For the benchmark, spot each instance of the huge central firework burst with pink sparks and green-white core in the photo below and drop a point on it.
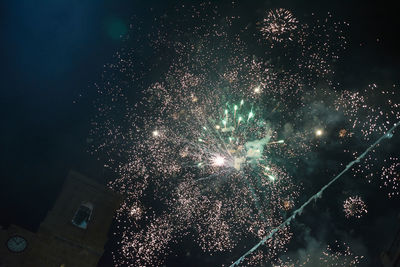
(206, 152)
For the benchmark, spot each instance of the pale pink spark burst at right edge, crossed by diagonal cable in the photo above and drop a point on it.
(377, 116)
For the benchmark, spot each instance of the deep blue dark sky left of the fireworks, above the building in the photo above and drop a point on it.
(51, 53)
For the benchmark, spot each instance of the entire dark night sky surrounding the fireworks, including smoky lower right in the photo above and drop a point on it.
(52, 54)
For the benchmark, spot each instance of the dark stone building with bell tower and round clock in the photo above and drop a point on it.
(73, 234)
